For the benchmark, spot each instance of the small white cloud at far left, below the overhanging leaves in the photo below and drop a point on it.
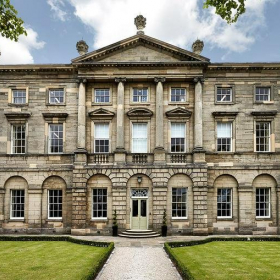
(19, 52)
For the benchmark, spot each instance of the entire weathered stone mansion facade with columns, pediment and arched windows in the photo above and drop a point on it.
(140, 126)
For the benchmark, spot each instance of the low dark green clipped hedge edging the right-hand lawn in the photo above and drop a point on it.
(184, 271)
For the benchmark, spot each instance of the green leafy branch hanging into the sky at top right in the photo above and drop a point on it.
(229, 10)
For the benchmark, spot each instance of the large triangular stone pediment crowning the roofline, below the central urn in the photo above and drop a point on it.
(140, 48)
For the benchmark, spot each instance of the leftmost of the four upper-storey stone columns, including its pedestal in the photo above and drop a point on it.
(81, 152)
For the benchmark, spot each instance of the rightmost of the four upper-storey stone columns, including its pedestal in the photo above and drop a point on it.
(198, 152)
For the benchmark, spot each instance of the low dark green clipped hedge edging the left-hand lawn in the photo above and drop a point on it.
(95, 270)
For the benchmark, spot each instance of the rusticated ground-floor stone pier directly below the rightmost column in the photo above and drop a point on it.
(200, 218)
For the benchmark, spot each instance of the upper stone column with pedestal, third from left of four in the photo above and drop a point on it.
(159, 152)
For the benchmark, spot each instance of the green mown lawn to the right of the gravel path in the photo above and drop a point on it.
(232, 260)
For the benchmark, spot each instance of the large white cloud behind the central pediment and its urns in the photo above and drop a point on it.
(178, 22)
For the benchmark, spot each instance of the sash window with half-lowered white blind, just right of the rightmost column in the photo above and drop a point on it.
(224, 136)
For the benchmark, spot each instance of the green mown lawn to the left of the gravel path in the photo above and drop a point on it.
(47, 260)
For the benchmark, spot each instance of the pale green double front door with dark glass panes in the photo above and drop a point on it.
(139, 213)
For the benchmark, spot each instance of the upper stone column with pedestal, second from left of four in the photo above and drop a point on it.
(120, 152)
